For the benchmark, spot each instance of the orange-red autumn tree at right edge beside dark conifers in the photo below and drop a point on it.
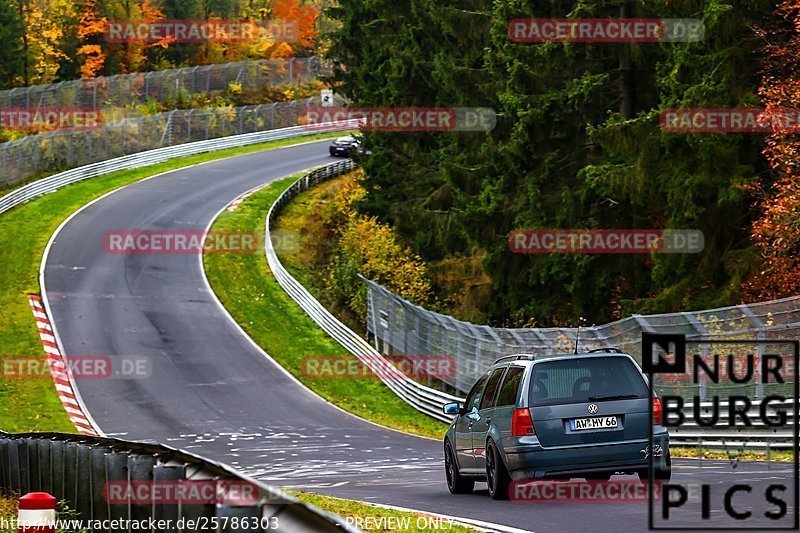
(776, 231)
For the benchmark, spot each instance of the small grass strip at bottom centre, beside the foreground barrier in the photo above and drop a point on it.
(380, 518)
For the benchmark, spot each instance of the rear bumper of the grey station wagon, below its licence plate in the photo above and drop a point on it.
(532, 461)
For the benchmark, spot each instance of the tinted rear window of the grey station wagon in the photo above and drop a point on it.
(584, 380)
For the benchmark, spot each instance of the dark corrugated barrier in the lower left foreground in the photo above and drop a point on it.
(76, 468)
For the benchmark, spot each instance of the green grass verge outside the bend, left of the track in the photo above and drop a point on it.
(32, 404)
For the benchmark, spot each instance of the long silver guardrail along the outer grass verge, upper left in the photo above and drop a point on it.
(56, 181)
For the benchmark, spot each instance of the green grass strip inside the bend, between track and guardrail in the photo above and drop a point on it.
(249, 291)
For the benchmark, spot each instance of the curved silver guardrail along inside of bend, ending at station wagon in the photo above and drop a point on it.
(422, 398)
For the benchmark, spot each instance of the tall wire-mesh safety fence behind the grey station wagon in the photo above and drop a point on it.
(407, 329)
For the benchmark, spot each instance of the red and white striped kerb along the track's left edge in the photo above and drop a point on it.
(59, 369)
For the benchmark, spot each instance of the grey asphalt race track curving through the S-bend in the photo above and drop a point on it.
(213, 393)
